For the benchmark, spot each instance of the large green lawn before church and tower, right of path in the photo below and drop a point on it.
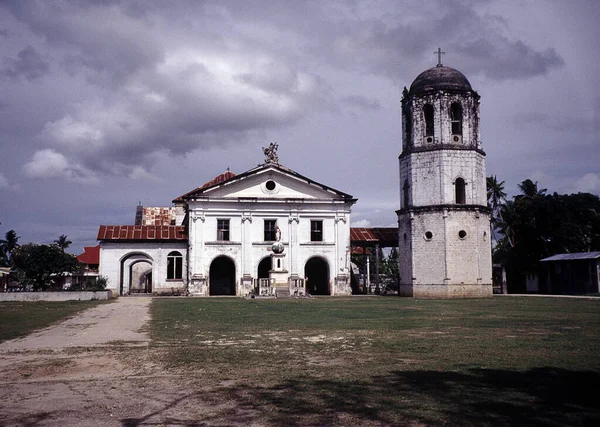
(389, 360)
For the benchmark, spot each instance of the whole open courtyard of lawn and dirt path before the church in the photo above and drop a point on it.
(316, 361)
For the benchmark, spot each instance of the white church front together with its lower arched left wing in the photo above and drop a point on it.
(230, 230)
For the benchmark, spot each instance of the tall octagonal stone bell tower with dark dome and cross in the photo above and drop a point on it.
(443, 221)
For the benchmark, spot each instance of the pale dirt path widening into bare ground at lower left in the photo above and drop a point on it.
(94, 369)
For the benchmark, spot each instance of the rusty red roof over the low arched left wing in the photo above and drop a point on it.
(142, 232)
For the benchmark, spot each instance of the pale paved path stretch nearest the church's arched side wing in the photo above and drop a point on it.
(118, 321)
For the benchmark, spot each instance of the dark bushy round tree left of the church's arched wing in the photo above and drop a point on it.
(39, 266)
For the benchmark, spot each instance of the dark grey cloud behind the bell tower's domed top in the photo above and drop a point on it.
(383, 45)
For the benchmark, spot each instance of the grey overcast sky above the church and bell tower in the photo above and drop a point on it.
(110, 103)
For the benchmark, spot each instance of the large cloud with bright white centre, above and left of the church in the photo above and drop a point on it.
(162, 88)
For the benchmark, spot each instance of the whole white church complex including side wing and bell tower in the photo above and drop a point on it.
(271, 231)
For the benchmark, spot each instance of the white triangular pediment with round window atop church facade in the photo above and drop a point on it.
(269, 181)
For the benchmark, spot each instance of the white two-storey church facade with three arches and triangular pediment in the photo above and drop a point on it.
(292, 203)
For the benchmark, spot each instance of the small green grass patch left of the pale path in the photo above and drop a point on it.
(18, 319)
